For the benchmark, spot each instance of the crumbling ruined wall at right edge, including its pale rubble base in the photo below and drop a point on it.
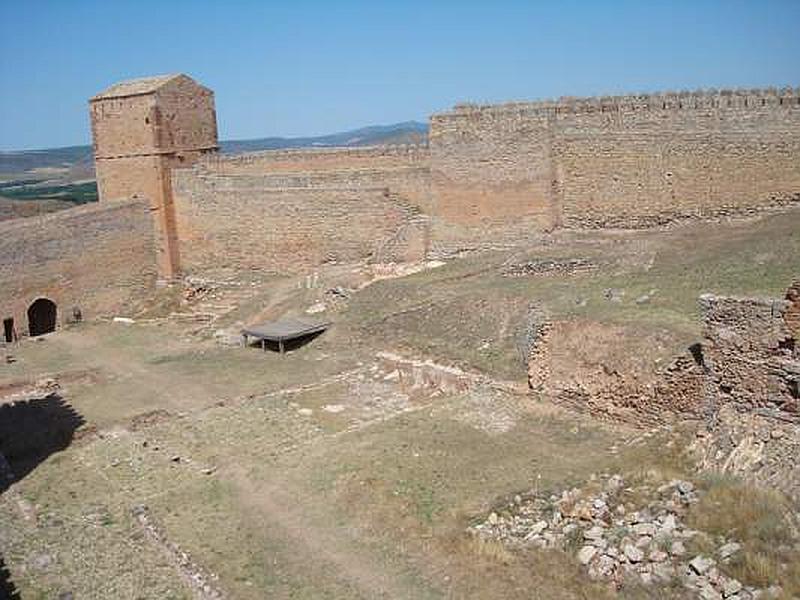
(752, 398)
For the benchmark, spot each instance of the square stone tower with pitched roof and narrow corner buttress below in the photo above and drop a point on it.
(141, 130)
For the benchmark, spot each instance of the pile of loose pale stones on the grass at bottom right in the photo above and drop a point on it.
(615, 542)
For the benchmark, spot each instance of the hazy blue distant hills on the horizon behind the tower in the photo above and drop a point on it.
(78, 159)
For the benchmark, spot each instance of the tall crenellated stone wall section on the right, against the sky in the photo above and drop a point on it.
(626, 161)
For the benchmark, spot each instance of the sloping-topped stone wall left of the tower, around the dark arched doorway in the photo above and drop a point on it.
(96, 257)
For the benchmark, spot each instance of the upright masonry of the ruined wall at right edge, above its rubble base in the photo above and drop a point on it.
(752, 357)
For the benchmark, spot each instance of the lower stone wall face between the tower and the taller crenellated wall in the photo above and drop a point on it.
(282, 229)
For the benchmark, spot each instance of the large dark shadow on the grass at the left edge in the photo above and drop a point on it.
(32, 430)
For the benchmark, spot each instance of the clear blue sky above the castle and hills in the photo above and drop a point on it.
(313, 67)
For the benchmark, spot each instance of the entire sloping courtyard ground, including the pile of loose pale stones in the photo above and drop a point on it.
(367, 462)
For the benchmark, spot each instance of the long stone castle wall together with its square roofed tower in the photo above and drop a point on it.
(490, 175)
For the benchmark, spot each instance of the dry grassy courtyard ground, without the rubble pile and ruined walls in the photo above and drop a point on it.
(317, 475)
